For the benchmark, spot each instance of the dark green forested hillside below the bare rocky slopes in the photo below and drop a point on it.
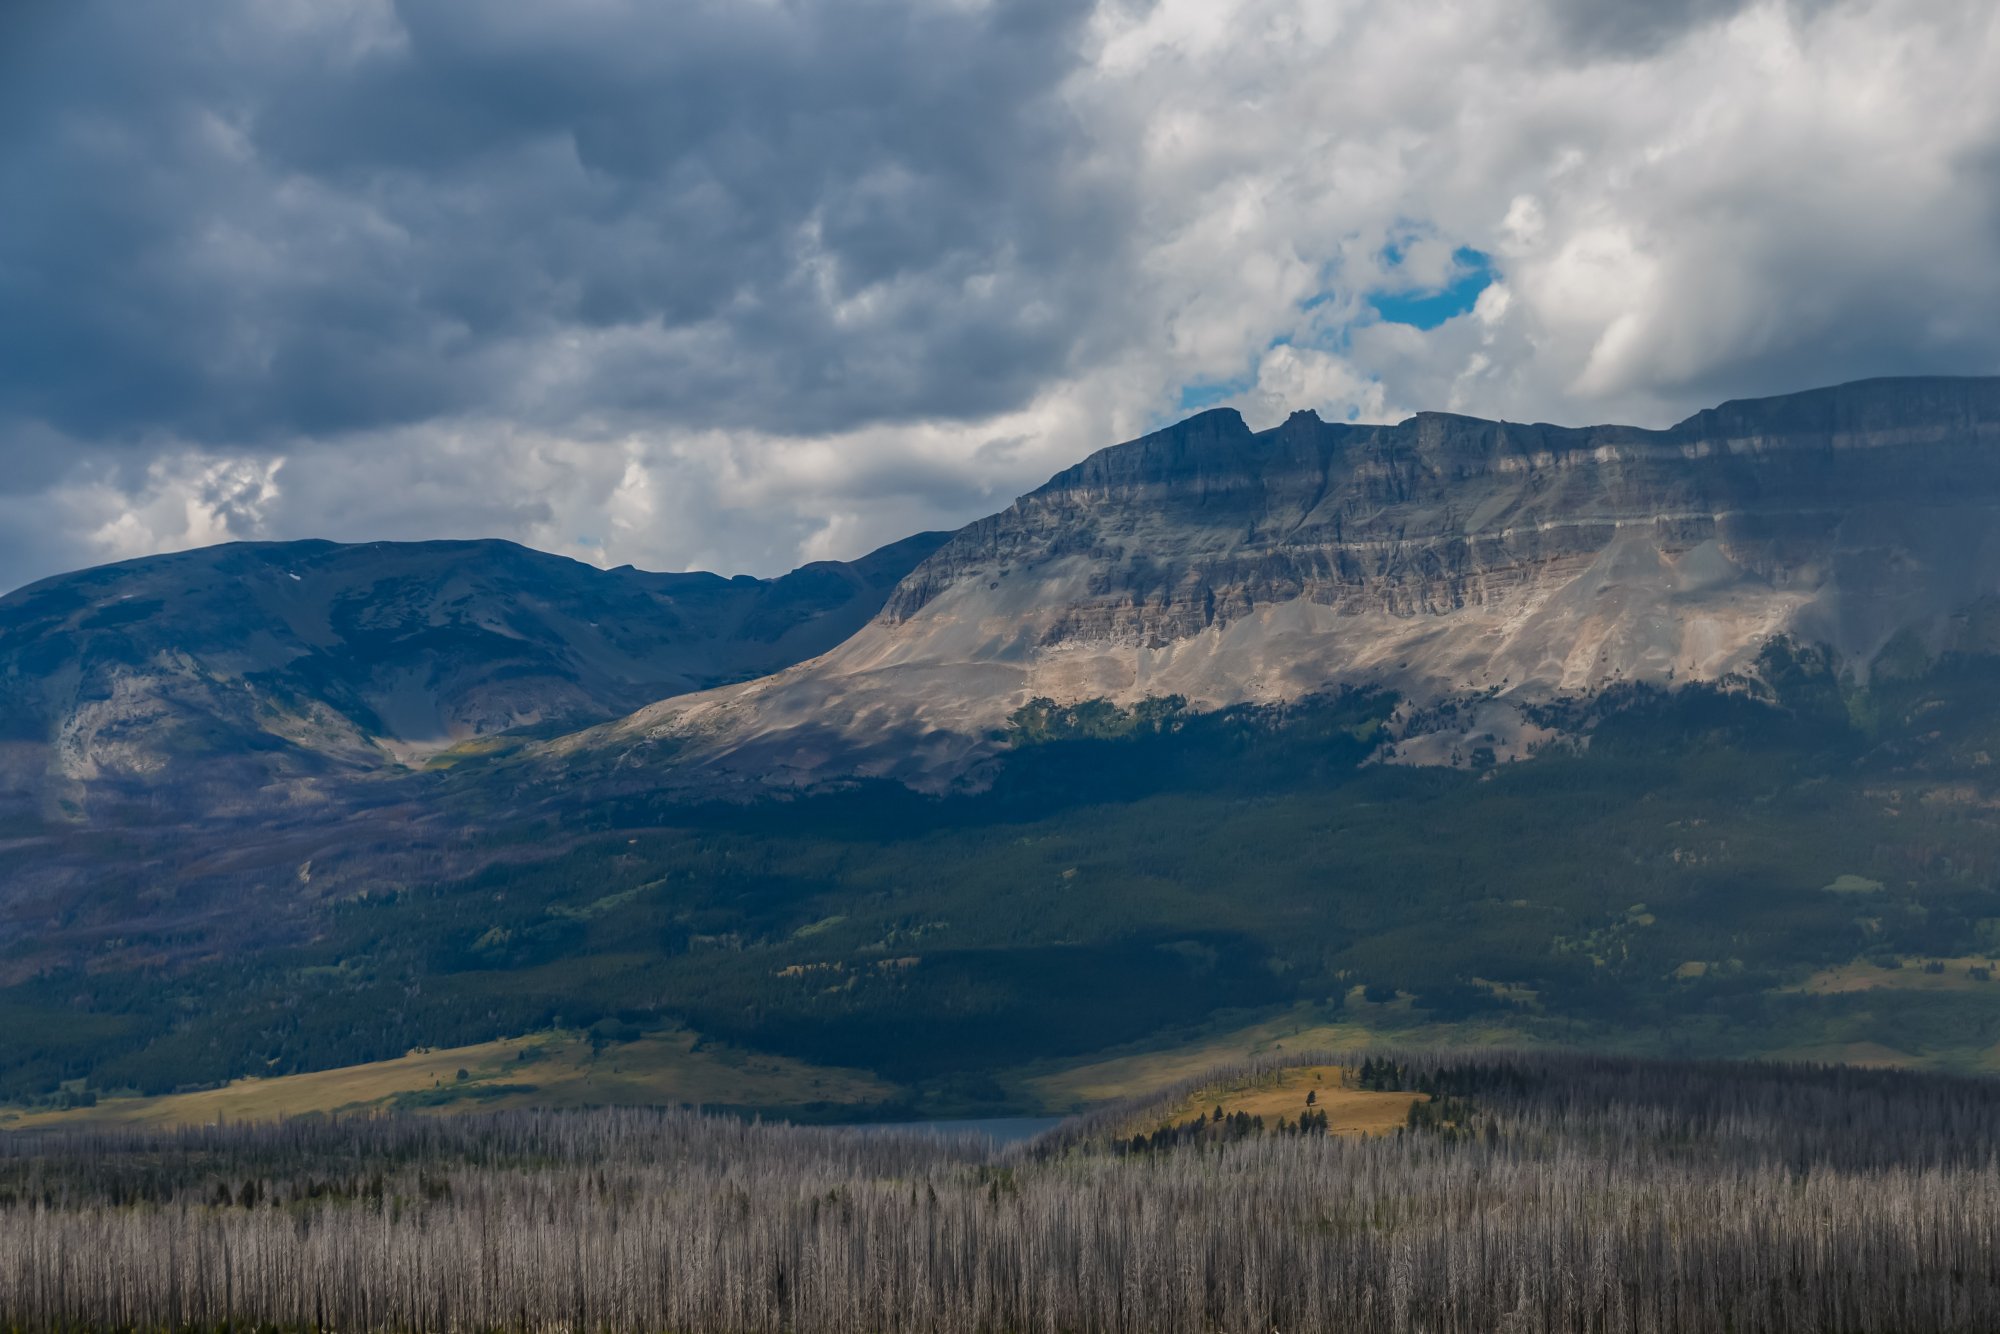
(1791, 863)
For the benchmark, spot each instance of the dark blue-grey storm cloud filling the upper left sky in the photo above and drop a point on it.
(307, 221)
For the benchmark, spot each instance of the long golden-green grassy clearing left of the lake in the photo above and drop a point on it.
(545, 1071)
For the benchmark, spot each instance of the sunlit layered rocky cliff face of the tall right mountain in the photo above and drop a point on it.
(1441, 555)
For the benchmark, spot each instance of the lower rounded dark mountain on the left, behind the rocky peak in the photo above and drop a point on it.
(243, 671)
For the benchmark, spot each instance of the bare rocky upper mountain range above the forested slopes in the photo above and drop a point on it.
(1443, 557)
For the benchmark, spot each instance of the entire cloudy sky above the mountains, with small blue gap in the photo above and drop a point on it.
(749, 283)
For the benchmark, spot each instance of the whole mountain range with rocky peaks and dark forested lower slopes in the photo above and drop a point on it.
(1095, 775)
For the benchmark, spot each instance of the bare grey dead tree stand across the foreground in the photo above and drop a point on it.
(1599, 1195)
